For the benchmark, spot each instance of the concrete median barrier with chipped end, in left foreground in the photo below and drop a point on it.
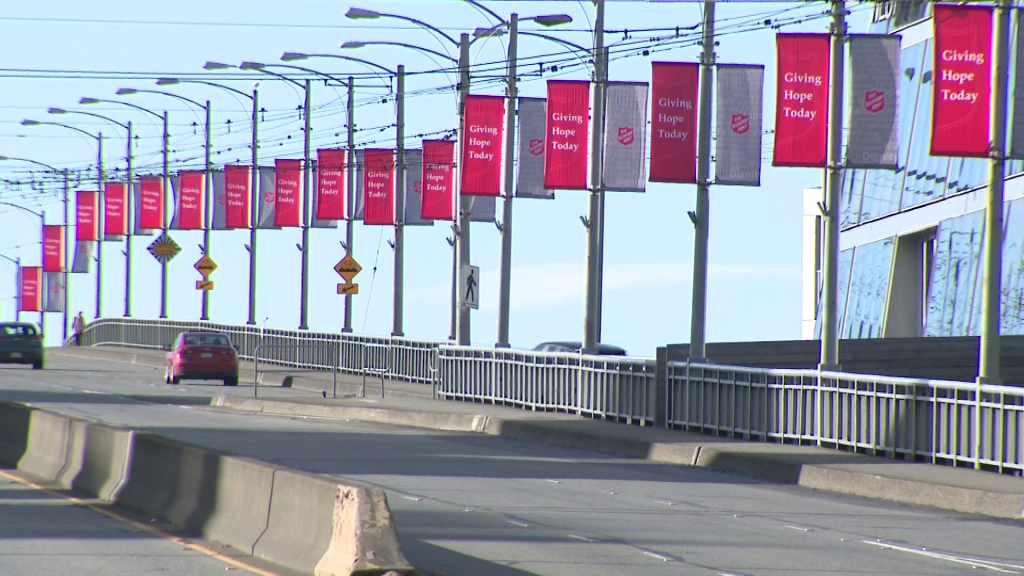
(301, 521)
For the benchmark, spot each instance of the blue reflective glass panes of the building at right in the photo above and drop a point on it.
(953, 302)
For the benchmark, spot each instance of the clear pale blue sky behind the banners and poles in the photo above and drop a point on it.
(755, 252)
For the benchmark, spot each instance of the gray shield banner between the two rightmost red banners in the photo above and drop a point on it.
(874, 137)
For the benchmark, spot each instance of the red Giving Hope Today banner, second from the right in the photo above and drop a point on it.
(802, 100)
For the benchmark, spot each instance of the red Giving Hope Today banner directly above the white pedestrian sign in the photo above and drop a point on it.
(481, 171)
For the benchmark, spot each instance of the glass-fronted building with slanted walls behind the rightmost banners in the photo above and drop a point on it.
(911, 240)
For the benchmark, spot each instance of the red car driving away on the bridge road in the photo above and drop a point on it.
(203, 356)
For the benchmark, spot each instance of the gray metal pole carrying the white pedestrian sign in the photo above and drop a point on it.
(463, 203)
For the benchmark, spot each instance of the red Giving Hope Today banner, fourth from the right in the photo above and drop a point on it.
(566, 155)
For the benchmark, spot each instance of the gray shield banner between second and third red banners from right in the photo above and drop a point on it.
(738, 128)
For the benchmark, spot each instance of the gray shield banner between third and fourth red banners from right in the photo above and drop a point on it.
(626, 137)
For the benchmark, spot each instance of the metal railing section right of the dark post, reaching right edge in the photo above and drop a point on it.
(940, 422)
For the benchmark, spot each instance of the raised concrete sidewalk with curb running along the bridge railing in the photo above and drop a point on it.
(957, 489)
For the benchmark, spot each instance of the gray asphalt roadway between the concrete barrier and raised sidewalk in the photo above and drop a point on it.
(475, 505)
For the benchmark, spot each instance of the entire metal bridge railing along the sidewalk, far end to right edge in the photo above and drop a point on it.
(958, 424)
